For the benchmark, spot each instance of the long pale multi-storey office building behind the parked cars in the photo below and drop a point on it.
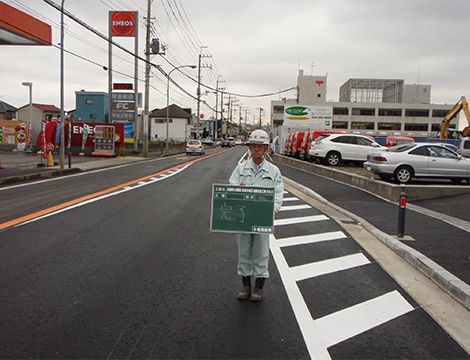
(377, 107)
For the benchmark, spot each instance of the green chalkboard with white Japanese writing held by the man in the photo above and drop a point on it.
(244, 209)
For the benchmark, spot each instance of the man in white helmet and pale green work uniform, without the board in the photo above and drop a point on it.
(253, 249)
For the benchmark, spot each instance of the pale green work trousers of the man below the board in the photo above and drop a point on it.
(253, 254)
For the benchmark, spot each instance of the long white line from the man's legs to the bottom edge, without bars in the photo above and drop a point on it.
(310, 331)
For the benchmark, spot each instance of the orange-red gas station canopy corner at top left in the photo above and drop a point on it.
(18, 28)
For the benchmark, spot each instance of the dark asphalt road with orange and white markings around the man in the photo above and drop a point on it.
(120, 263)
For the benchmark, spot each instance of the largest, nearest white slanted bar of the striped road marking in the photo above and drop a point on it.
(344, 324)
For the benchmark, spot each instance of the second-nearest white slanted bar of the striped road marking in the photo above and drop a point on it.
(329, 266)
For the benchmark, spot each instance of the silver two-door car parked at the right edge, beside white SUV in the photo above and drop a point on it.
(418, 160)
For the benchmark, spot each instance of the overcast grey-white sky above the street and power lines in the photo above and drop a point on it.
(255, 46)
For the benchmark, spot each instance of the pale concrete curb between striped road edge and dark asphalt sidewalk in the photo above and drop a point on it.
(448, 282)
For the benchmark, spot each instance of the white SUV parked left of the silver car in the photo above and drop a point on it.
(332, 149)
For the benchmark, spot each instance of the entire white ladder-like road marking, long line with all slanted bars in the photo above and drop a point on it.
(320, 334)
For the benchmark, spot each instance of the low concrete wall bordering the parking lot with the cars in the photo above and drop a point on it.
(384, 189)
